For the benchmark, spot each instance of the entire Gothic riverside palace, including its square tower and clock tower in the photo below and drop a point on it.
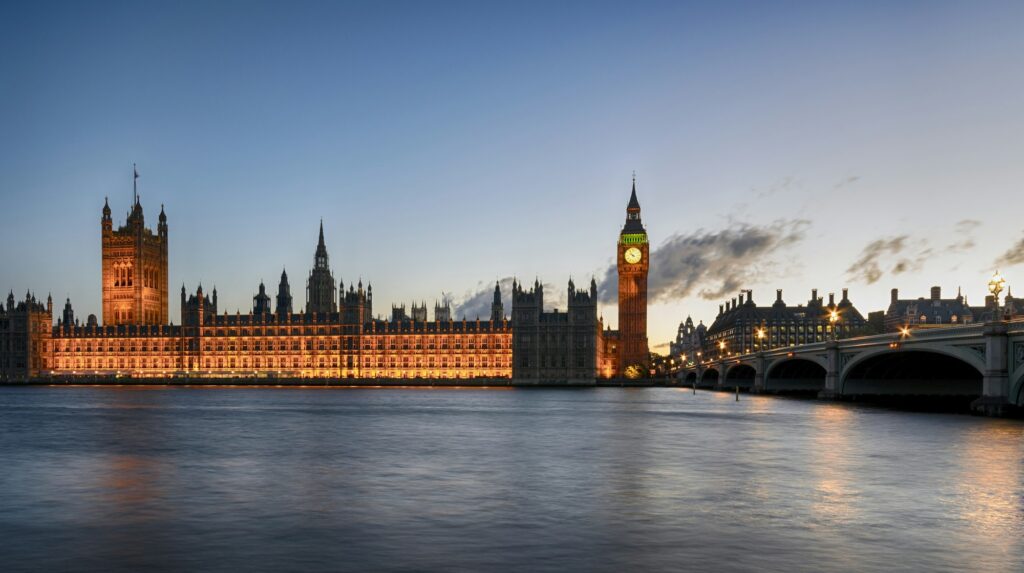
(335, 336)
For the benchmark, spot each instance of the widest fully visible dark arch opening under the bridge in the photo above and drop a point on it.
(913, 373)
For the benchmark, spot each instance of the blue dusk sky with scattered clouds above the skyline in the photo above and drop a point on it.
(447, 146)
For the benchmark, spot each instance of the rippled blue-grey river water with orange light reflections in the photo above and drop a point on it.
(244, 479)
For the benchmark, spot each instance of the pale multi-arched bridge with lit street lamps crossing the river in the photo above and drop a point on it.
(984, 363)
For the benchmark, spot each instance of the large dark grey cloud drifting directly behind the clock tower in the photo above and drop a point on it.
(712, 265)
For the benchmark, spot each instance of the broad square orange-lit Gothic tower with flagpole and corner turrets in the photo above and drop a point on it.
(135, 269)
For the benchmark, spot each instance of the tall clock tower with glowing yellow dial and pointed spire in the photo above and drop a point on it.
(633, 265)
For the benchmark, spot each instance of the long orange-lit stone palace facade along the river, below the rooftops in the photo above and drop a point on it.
(211, 345)
